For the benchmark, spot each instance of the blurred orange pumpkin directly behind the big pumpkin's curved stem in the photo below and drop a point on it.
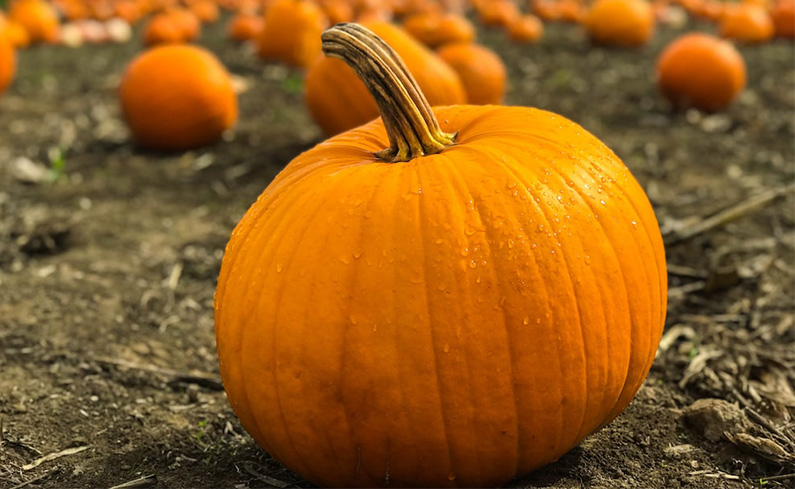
(338, 100)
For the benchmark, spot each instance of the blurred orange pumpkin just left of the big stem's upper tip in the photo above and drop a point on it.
(291, 32)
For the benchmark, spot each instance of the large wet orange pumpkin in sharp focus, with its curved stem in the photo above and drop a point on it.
(444, 297)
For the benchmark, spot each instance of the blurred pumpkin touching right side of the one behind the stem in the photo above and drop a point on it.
(480, 69)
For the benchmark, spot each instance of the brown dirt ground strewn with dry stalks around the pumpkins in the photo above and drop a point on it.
(109, 256)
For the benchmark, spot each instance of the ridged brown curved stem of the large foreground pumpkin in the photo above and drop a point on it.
(410, 123)
